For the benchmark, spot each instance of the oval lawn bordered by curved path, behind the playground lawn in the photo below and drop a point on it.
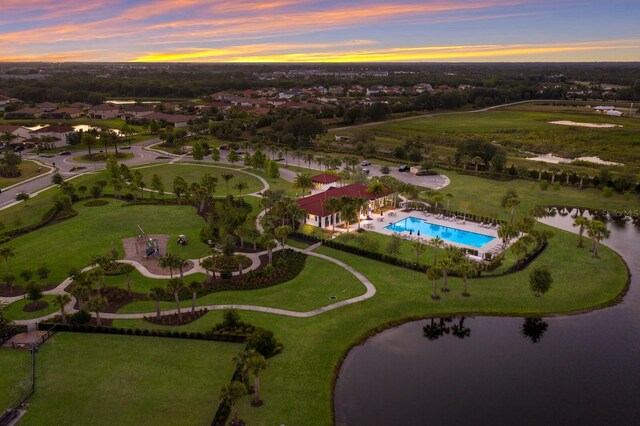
(193, 173)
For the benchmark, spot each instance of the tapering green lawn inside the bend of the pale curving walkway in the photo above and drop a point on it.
(307, 291)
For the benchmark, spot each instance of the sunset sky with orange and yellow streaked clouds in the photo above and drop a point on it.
(319, 30)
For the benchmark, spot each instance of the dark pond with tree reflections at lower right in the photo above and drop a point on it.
(579, 369)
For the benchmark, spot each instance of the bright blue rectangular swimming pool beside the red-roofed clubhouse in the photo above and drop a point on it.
(448, 234)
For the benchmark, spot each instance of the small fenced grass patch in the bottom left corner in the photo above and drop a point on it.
(15, 374)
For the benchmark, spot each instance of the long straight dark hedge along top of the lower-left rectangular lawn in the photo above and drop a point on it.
(222, 337)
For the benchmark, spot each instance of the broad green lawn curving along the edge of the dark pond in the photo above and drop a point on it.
(297, 386)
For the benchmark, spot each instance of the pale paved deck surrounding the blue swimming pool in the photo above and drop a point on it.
(379, 224)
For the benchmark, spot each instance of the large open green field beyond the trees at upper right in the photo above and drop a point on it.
(522, 128)
